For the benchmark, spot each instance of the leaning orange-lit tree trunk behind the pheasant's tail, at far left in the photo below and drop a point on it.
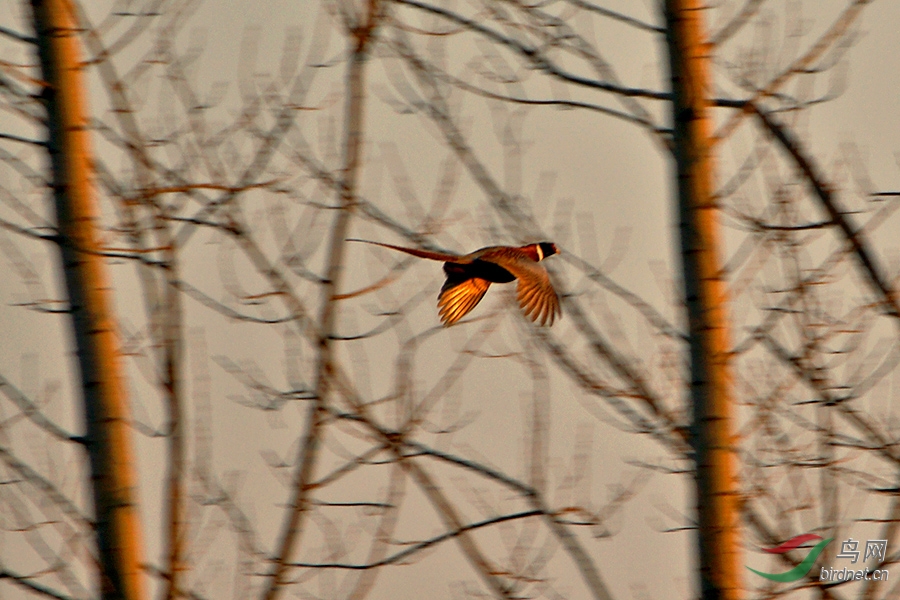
(107, 437)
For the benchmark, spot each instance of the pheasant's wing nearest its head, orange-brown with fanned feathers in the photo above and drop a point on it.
(535, 292)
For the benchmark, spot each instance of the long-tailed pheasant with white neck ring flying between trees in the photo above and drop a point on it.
(469, 276)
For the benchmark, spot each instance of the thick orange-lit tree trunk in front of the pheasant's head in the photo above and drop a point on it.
(706, 301)
